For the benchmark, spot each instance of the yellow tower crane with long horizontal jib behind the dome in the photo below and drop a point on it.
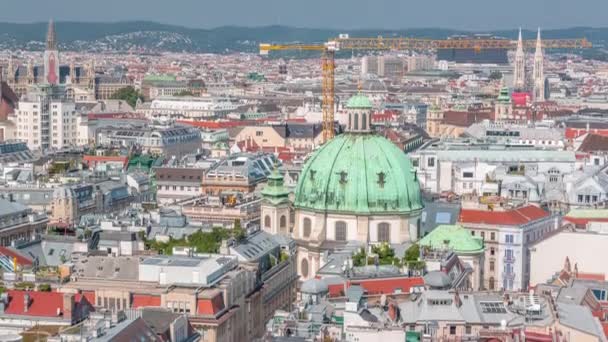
(344, 42)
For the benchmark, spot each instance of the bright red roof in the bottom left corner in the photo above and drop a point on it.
(42, 304)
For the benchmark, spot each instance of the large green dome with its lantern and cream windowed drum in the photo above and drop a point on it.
(358, 186)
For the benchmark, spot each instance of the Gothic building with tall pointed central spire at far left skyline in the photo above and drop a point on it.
(78, 80)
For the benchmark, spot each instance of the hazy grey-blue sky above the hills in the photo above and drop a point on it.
(389, 14)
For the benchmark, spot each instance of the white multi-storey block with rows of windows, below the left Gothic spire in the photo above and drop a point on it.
(46, 119)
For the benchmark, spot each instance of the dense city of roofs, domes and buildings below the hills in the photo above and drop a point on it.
(354, 189)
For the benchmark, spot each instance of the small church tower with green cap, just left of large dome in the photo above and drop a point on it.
(276, 207)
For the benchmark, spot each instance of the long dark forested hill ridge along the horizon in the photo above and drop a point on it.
(155, 37)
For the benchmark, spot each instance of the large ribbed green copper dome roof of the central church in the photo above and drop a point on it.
(359, 174)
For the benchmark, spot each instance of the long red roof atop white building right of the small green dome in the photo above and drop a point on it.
(514, 217)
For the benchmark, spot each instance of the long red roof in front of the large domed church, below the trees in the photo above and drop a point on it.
(378, 286)
